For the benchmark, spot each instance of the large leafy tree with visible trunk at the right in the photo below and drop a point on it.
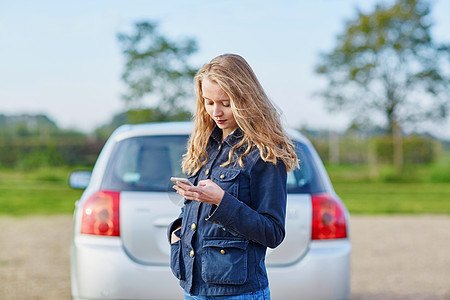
(387, 66)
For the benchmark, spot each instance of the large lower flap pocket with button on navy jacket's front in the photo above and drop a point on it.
(224, 261)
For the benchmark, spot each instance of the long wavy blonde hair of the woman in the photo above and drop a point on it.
(254, 113)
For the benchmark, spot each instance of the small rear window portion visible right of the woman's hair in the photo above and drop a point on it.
(306, 179)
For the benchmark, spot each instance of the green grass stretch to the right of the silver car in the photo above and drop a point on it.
(421, 189)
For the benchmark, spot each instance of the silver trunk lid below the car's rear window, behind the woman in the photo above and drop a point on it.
(145, 216)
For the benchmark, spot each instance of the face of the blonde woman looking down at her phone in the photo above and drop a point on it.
(217, 104)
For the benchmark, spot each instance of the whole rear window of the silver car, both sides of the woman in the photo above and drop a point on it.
(146, 163)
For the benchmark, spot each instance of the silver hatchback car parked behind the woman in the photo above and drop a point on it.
(120, 250)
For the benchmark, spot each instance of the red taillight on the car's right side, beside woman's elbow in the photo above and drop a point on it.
(328, 220)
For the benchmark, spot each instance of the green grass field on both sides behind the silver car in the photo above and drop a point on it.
(46, 191)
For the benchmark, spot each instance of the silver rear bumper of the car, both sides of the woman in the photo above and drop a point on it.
(101, 269)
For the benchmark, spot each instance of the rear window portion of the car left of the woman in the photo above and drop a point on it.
(145, 163)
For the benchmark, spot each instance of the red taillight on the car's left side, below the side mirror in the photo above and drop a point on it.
(101, 214)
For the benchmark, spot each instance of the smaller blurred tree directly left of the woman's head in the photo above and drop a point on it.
(157, 67)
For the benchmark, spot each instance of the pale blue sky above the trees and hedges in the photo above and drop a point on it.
(62, 58)
